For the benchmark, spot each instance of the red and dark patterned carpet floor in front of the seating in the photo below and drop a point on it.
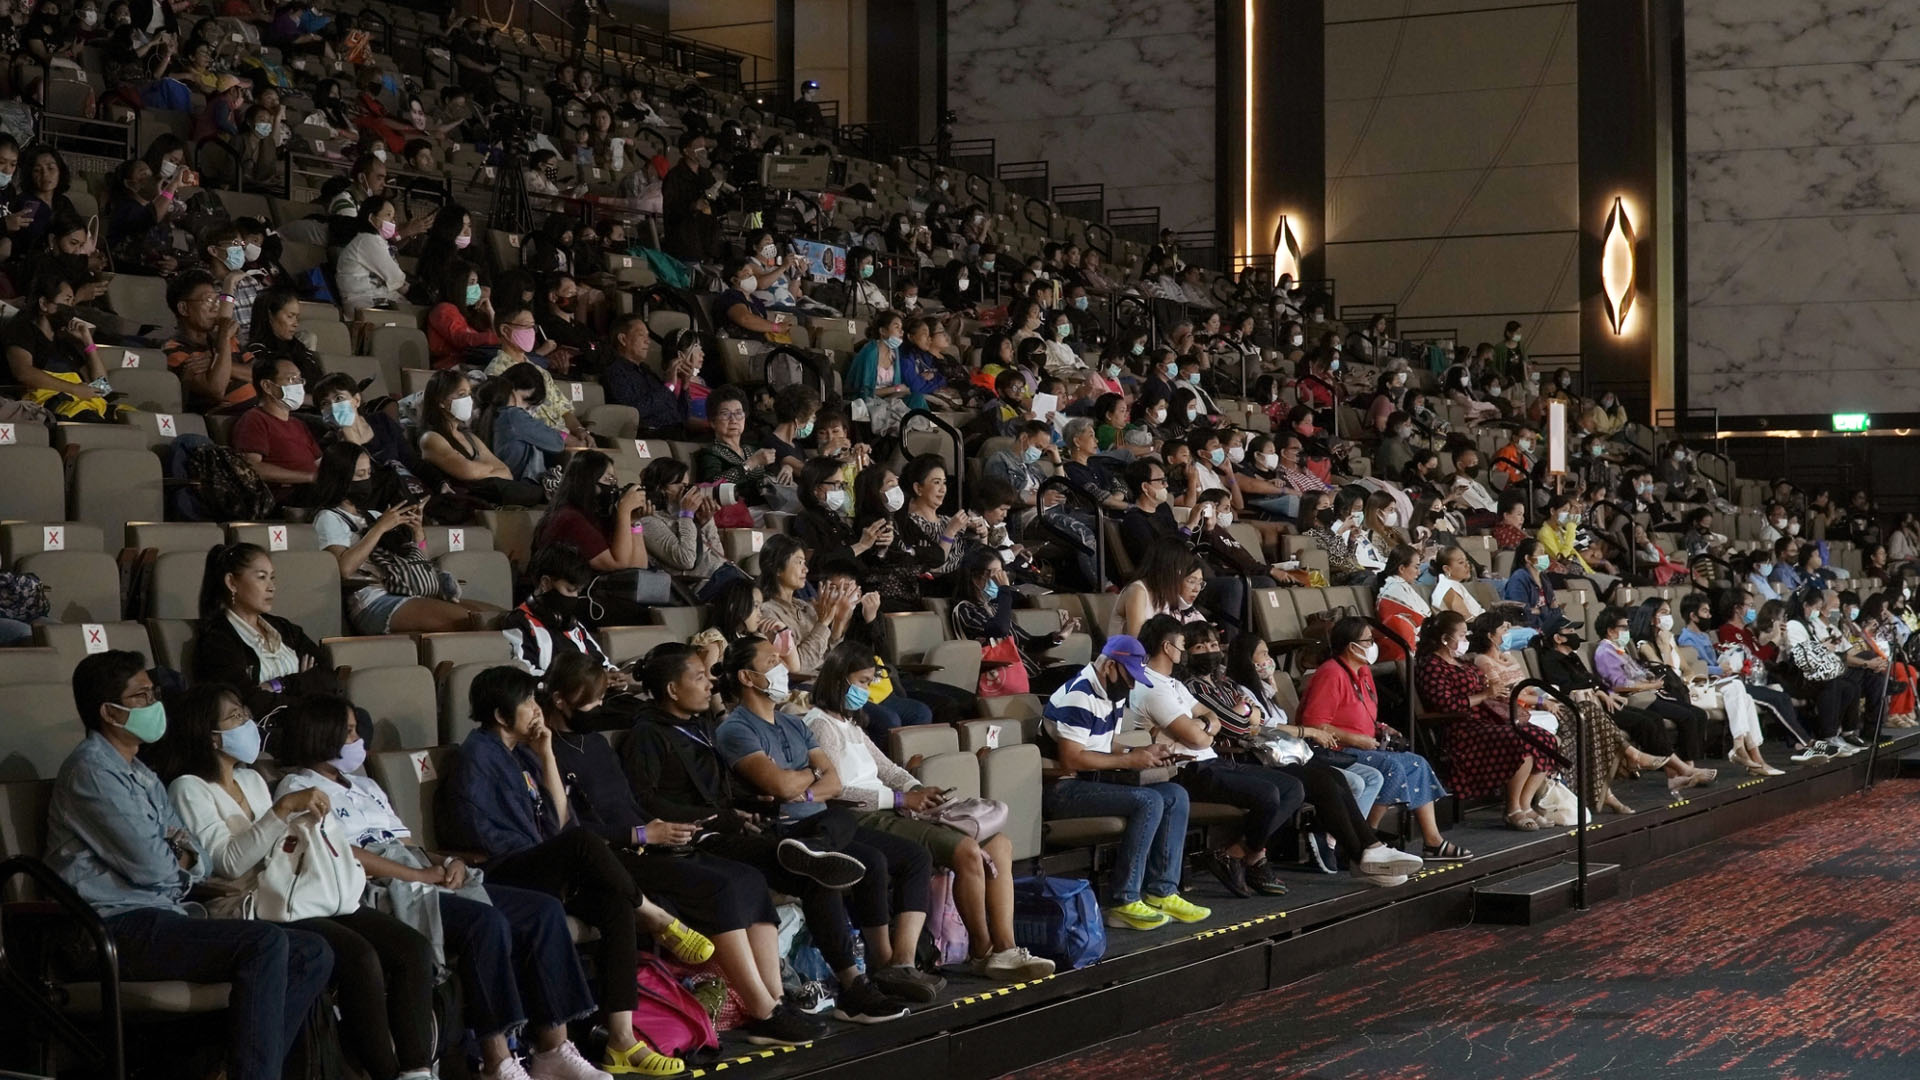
(1794, 954)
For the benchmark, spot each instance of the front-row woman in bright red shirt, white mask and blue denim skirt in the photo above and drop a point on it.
(1343, 699)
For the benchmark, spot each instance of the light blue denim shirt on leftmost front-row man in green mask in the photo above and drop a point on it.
(112, 833)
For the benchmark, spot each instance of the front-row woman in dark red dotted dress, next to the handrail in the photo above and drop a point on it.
(1491, 754)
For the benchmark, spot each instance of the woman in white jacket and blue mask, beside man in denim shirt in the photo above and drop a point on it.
(383, 970)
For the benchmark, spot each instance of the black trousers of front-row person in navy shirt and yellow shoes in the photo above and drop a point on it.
(585, 875)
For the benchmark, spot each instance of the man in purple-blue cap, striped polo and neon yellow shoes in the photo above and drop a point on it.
(1078, 731)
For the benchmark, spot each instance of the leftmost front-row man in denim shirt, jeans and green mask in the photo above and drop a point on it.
(114, 837)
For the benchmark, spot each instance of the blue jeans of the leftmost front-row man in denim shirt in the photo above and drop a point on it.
(276, 973)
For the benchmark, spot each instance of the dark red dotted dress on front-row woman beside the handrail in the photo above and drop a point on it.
(1485, 747)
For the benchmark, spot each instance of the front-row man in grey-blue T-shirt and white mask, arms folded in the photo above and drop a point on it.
(779, 756)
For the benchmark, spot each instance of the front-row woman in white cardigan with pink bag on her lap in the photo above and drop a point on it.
(888, 797)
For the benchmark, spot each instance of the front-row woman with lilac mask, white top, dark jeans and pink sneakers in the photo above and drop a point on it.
(512, 950)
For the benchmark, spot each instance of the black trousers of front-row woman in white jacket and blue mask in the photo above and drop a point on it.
(383, 987)
